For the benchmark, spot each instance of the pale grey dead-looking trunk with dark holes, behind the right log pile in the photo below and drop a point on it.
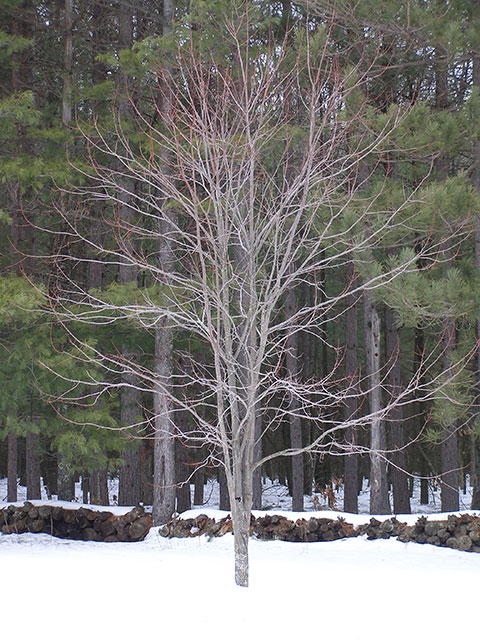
(379, 502)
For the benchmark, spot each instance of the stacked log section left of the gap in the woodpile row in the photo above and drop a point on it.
(76, 524)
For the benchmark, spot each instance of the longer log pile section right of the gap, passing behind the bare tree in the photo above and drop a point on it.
(458, 532)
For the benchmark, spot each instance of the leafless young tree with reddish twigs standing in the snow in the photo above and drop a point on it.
(246, 180)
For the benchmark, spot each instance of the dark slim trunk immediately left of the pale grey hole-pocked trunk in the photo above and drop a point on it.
(350, 501)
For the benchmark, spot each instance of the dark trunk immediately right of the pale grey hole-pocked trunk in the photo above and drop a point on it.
(401, 500)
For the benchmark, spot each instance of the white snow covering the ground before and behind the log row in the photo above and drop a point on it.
(350, 589)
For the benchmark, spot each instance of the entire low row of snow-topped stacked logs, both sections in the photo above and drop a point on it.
(457, 532)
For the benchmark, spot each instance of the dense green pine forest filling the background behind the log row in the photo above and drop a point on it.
(376, 363)
